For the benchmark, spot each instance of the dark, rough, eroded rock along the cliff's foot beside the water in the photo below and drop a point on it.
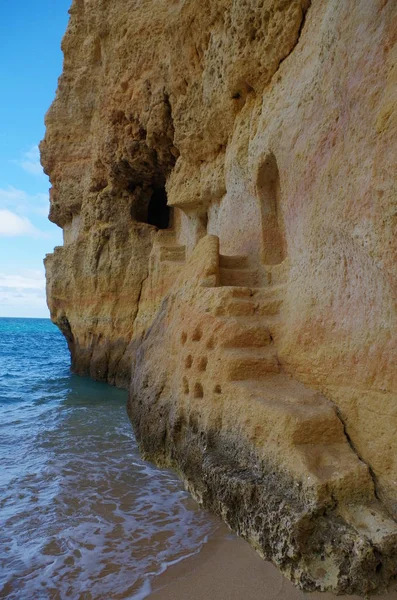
(317, 544)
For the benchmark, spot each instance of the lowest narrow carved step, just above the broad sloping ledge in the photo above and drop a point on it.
(248, 363)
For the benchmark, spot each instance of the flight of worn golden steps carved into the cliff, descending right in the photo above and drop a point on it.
(250, 316)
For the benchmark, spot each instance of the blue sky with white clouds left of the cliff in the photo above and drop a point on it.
(30, 64)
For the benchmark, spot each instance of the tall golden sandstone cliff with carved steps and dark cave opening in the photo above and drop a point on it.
(224, 174)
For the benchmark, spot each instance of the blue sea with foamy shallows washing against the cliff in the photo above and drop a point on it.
(82, 516)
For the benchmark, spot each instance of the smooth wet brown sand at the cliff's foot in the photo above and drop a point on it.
(229, 569)
